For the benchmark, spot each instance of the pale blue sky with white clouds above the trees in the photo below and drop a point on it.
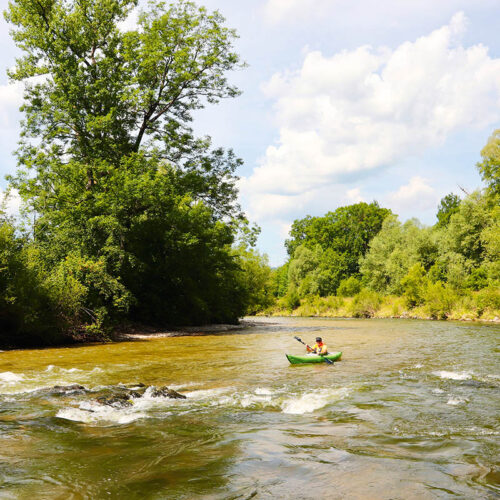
(343, 101)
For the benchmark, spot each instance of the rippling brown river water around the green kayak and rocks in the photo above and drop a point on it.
(411, 411)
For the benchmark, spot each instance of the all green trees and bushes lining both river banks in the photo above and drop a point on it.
(127, 216)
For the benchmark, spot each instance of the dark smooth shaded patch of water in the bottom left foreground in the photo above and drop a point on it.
(174, 458)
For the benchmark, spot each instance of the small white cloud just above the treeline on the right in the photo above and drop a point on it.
(417, 194)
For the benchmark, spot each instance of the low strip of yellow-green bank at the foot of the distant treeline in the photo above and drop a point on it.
(372, 305)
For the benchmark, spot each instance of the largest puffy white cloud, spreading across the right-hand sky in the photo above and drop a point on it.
(344, 116)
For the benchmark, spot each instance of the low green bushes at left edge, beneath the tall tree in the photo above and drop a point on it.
(47, 304)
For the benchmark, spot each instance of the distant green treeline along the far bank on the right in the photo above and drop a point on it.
(366, 252)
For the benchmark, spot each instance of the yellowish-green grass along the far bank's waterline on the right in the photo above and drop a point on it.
(439, 302)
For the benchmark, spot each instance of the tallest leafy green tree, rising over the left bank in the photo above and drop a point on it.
(108, 163)
